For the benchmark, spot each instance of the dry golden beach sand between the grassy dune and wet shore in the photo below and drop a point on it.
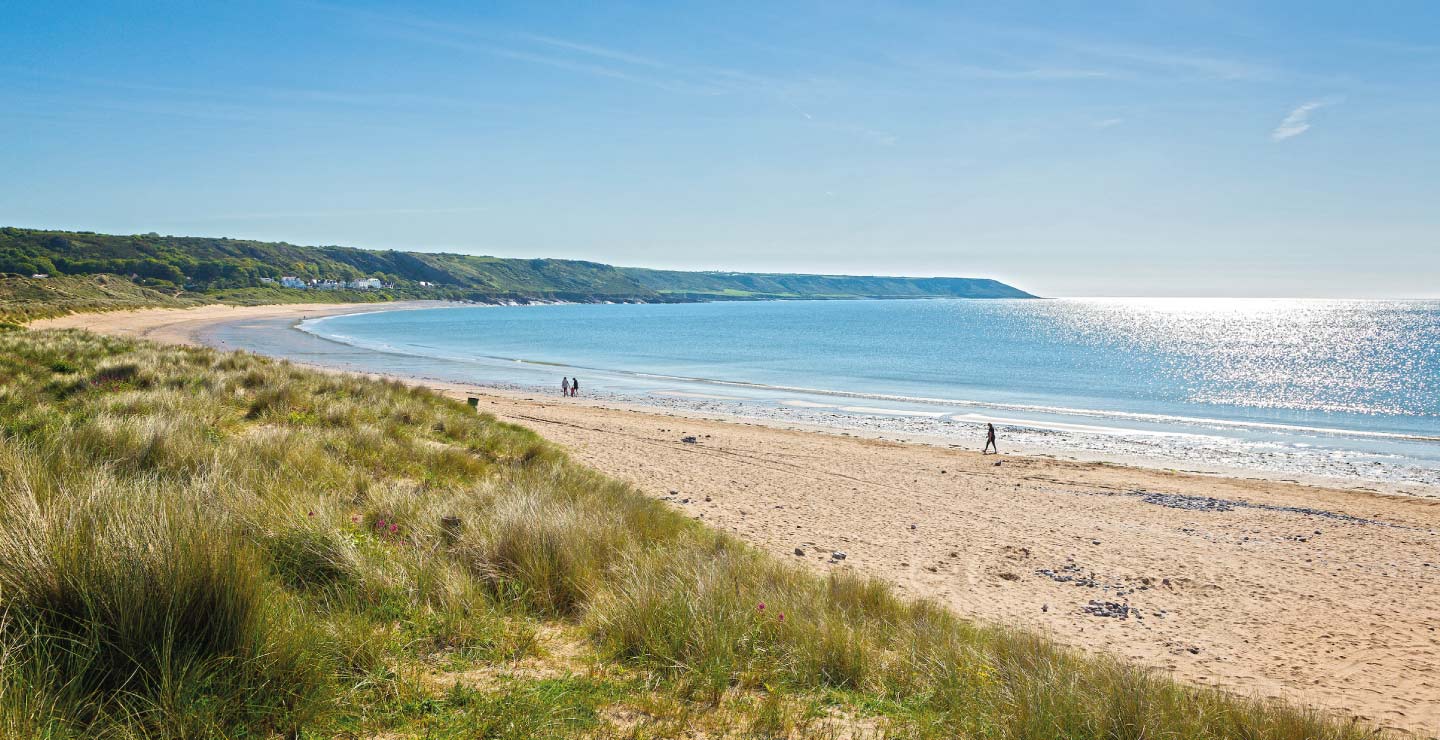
(1326, 597)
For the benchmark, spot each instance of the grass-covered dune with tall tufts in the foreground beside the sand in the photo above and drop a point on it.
(210, 545)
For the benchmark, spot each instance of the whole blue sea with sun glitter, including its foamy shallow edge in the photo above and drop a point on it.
(1295, 389)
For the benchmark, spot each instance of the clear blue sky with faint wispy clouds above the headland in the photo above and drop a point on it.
(1072, 149)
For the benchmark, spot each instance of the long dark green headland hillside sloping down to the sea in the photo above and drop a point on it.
(227, 269)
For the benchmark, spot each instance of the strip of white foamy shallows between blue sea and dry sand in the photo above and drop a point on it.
(1398, 466)
